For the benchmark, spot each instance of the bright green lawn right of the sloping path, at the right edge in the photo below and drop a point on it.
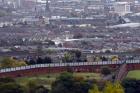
(134, 74)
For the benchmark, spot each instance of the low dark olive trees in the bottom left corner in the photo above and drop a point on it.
(9, 85)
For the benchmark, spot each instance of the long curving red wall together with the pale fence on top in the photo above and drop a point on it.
(58, 68)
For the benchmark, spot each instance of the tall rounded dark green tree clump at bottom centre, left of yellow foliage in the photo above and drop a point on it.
(66, 83)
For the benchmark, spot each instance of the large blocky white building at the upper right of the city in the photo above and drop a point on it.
(122, 8)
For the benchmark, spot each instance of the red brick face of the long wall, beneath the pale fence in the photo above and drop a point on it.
(40, 71)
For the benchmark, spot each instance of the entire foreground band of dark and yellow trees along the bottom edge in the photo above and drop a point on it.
(68, 83)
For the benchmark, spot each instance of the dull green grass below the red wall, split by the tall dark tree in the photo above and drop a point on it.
(47, 80)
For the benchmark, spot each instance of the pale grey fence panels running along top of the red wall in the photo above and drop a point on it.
(69, 64)
